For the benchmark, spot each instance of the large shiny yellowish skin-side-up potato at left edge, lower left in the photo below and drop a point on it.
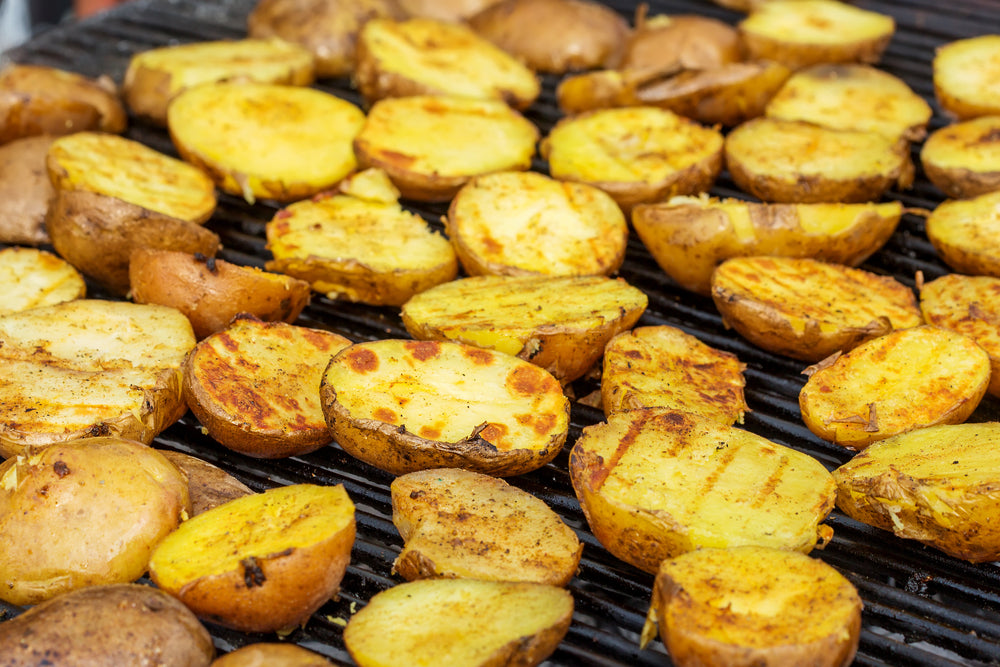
(83, 513)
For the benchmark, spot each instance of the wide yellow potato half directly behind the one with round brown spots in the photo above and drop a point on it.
(561, 324)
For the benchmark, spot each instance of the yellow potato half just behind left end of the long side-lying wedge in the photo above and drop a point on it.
(636, 155)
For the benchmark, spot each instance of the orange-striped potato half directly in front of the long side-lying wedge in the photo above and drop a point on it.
(807, 309)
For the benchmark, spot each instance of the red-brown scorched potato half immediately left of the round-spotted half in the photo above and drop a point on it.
(255, 386)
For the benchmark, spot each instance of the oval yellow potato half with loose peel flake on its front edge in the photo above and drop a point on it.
(904, 380)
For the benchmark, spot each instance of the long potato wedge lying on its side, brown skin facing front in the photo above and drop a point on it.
(688, 237)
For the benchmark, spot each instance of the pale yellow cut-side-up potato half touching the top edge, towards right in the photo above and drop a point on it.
(800, 33)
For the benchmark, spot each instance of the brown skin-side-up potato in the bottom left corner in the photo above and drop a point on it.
(117, 624)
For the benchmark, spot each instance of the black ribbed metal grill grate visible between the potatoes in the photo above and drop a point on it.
(921, 607)
